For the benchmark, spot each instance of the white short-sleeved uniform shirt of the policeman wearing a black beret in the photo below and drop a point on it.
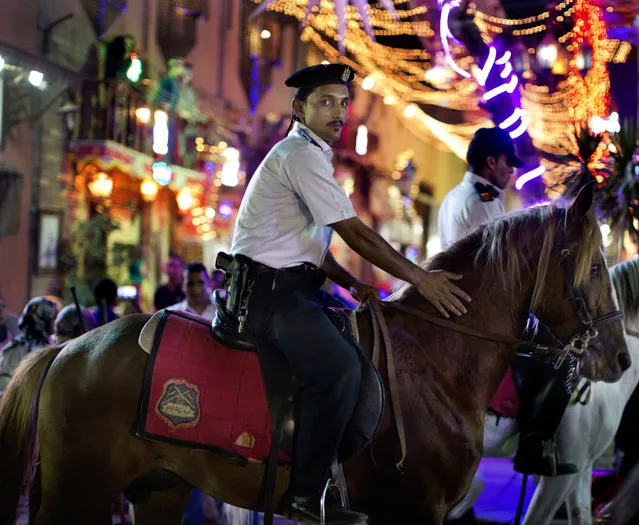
(289, 203)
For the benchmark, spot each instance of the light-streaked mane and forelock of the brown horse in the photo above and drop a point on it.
(505, 248)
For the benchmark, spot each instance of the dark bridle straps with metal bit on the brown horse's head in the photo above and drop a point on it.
(588, 326)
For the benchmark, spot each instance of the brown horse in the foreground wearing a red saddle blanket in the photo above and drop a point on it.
(89, 390)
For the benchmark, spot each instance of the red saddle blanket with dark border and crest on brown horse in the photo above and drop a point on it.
(200, 393)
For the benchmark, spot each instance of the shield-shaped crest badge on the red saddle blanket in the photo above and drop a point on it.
(179, 404)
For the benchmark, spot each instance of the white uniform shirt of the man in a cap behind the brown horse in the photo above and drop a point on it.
(463, 210)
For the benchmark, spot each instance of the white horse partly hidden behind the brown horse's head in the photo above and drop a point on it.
(585, 431)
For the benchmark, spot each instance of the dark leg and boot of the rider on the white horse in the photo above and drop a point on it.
(544, 395)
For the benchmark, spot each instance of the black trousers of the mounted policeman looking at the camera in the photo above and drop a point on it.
(291, 320)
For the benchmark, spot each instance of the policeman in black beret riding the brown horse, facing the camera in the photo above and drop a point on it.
(281, 259)
